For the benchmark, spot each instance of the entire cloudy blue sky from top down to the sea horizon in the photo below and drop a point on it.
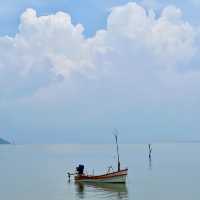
(72, 71)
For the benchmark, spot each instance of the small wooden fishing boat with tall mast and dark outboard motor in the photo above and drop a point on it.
(118, 176)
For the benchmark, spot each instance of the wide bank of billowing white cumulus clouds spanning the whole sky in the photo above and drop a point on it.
(137, 46)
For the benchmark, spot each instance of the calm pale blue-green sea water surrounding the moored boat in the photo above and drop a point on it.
(32, 172)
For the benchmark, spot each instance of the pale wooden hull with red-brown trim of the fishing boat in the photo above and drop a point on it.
(114, 177)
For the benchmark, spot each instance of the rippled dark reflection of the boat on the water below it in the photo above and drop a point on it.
(105, 190)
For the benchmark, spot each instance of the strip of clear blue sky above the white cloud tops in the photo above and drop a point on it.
(92, 14)
